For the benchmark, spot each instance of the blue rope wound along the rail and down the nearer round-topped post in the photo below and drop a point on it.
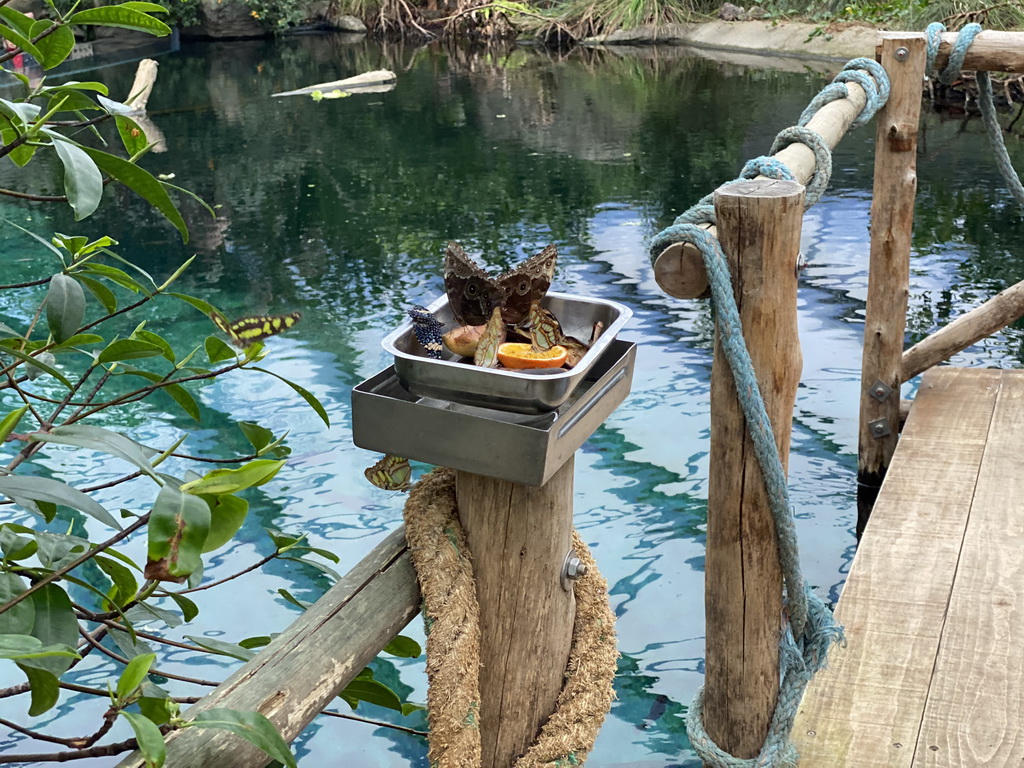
(810, 628)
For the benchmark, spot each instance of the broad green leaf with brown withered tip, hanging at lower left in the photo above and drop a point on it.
(180, 525)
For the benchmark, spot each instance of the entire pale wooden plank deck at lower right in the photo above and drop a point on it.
(933, 672)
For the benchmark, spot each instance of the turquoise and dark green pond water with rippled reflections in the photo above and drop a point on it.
(342, 209)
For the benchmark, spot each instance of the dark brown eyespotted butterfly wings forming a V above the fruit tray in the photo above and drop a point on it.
(474, 294)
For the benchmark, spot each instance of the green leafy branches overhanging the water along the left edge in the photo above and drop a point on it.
(77, 357)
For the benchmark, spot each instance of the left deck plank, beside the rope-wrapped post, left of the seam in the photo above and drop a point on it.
(866, 709)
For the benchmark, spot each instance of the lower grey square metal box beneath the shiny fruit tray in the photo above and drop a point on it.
(521, 448)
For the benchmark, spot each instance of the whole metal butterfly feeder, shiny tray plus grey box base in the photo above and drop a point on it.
(455, 415)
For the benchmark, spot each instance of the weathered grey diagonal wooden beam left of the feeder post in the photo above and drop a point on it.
(306, 667)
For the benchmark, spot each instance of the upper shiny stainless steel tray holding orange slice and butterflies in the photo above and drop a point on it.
(526, 393)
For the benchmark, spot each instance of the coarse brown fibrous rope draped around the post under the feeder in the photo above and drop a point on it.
(443, 563)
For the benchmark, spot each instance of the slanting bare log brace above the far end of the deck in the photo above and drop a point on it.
(994, 316)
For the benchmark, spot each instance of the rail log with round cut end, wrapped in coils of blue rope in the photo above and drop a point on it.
(679, 270)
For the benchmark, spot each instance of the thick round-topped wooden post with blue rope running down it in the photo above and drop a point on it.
(759, 227)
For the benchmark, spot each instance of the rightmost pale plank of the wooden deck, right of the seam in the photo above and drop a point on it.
(976, 698)
